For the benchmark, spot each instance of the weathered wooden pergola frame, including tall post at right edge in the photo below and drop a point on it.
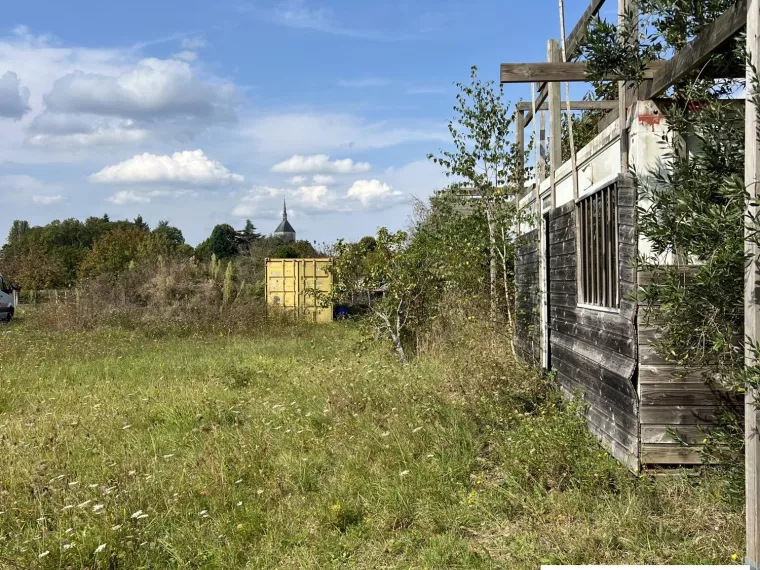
(658, 78)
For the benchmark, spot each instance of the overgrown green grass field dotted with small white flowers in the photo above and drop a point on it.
(309, 447)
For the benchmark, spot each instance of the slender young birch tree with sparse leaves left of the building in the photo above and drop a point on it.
(484, 165)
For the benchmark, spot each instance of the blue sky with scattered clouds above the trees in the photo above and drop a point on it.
(208, 112)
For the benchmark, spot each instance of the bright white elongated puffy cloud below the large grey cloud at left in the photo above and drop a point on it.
(187, 167)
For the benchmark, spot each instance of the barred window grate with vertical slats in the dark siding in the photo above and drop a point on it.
(598, 229)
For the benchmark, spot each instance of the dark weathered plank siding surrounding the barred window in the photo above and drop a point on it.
(594, 351)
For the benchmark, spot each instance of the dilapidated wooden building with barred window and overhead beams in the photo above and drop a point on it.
(575, 271)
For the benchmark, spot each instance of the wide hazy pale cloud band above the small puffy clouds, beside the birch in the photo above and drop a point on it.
(318, 132)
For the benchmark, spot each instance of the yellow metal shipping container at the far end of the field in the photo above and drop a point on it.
(288, 285)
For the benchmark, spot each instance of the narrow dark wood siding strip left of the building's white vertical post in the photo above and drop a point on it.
(528, 343)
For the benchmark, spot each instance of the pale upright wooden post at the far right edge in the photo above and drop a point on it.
(751, 309)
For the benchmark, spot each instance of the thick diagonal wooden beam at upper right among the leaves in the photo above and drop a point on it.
(698, 50)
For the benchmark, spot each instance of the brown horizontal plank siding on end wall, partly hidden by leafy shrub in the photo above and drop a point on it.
(672, 399)
